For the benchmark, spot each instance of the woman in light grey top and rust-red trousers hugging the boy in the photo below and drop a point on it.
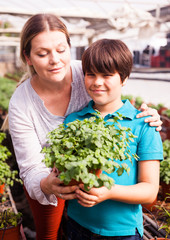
(54, 89)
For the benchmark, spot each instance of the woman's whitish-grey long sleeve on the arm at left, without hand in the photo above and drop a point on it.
(27, 150)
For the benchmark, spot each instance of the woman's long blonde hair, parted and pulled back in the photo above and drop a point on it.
(36, 24)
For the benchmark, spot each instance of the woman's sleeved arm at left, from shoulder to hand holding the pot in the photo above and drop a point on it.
(40, 183)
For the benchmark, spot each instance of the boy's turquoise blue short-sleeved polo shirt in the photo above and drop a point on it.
(112, 218)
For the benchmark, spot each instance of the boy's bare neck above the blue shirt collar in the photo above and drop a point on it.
(108, 108)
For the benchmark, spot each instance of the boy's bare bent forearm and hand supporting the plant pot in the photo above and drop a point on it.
(143, 192)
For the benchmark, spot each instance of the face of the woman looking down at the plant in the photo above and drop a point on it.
(50, 56)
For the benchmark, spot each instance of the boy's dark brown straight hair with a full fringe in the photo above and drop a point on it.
(108, 56)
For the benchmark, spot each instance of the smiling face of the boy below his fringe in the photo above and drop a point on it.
(104, 89)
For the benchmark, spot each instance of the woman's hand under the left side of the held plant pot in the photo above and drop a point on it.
(53, 185)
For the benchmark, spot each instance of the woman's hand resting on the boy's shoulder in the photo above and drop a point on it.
(154, 120)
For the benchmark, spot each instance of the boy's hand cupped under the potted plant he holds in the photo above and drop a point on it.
(92, 197)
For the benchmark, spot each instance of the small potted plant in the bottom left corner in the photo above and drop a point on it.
(10, 223)
